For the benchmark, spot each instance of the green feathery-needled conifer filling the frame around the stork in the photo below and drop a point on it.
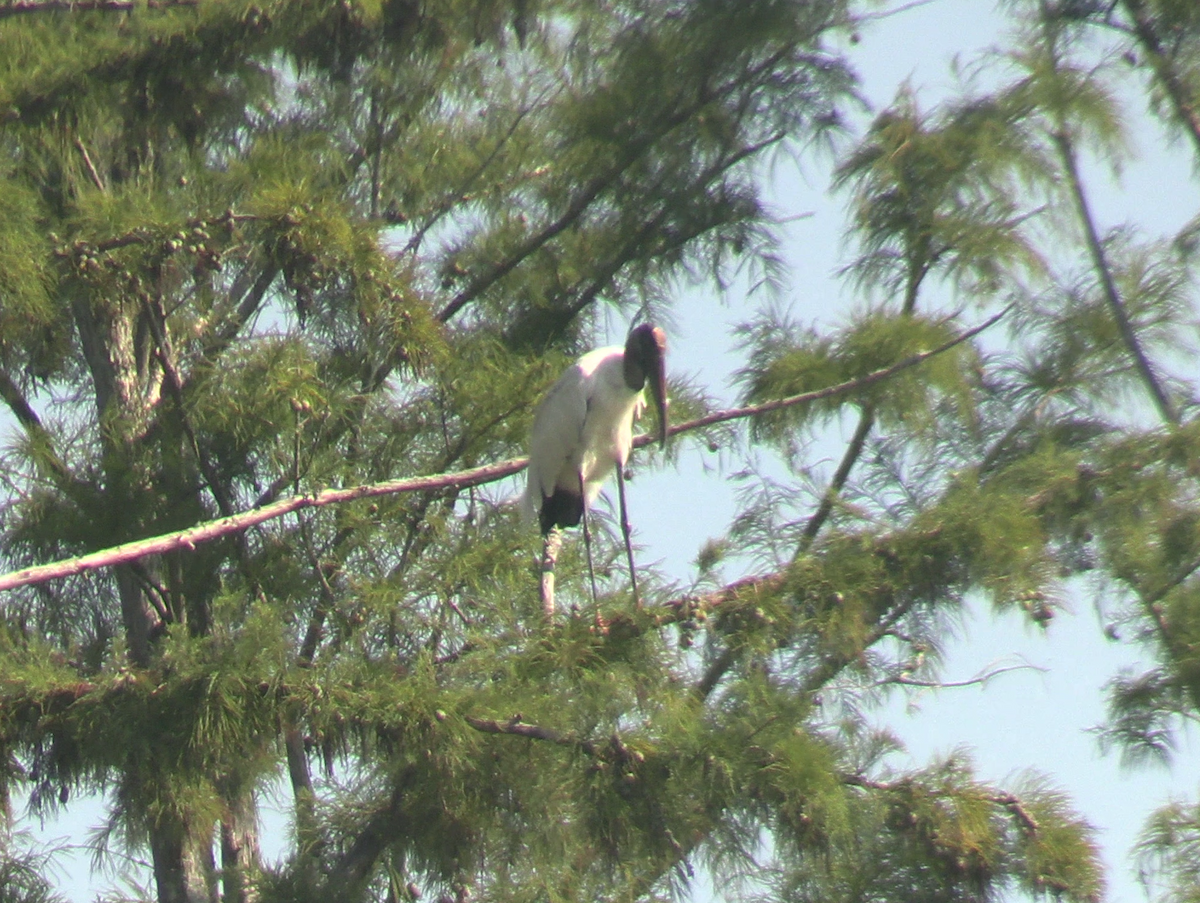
(255, 253)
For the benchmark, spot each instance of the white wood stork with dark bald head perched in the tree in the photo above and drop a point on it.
(584, 429)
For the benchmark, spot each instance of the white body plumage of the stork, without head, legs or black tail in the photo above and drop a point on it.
(584, 426)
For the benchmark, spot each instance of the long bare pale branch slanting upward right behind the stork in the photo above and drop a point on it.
(213, 530)
